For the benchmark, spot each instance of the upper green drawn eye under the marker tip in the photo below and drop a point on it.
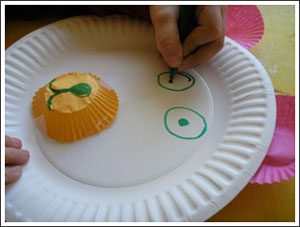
(181, 83)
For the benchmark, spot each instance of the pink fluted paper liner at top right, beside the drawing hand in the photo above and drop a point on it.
(244, 24)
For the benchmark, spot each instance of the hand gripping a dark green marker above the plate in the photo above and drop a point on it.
(206, 40)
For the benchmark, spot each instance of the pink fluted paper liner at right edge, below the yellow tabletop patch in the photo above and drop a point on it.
(279, 163)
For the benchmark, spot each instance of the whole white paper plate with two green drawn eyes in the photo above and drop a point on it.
(136, 170)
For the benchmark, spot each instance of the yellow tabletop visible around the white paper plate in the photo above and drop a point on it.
(276, 51)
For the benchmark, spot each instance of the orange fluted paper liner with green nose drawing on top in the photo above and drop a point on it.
(70, 118)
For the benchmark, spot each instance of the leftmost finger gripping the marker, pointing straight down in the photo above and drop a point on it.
(164, 19)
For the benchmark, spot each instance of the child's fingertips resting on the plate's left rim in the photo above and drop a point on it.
(14, 158)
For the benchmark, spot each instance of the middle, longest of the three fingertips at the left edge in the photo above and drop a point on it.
(16, 156)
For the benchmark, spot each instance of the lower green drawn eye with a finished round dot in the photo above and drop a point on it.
(185, 123)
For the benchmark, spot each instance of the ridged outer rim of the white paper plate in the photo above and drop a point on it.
(50, 197)
